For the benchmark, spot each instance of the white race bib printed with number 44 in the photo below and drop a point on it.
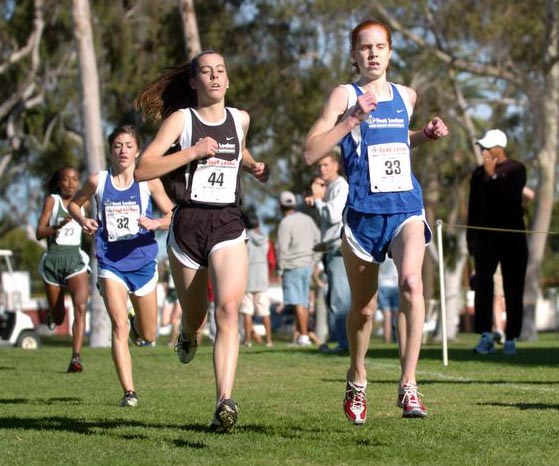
(215, 181)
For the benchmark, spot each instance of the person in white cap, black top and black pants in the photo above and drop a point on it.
(496, 190)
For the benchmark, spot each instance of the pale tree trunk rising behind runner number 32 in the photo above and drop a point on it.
(93, 142)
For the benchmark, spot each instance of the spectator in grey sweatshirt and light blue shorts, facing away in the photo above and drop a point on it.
(297, 236)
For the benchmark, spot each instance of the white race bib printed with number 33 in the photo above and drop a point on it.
(389, 167)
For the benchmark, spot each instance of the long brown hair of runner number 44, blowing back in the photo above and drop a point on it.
(171, 91)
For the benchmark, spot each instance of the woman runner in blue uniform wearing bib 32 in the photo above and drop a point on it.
(126, 248)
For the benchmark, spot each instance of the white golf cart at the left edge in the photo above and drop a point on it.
(16, 327)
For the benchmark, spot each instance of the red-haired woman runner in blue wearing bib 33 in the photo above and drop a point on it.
(384, 212)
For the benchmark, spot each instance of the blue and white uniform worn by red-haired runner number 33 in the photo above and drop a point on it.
(384, 193)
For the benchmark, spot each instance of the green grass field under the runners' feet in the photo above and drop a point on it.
(483, 410)
